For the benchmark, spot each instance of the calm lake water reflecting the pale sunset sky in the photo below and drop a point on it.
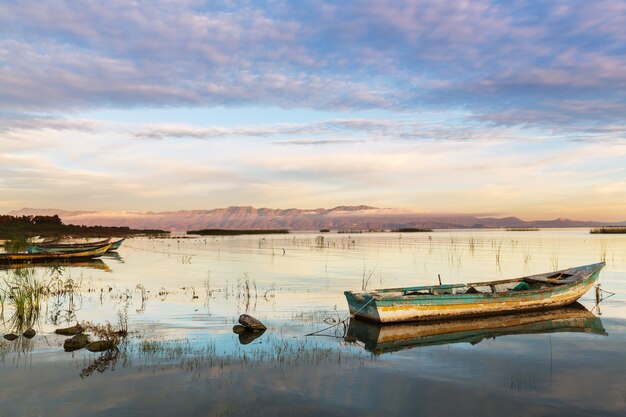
(181, 297)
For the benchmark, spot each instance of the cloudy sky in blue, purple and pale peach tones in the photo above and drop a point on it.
(484, 107)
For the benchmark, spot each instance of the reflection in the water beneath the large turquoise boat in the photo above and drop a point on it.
(384, 338)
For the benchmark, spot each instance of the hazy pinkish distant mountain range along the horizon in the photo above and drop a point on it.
(338, 218)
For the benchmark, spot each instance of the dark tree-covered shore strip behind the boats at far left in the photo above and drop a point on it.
(12, 227)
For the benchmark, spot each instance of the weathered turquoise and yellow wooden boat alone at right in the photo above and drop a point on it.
(534, 292)
